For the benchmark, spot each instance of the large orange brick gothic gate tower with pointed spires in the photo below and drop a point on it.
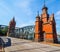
(45, 27)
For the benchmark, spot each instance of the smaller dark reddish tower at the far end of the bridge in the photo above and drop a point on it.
(11, 28)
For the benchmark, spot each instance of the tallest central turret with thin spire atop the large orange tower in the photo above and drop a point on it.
(45, 14)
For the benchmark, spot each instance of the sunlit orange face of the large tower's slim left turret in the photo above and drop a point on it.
(37, 28)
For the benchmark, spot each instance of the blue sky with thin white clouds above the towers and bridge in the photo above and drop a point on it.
(25, 11)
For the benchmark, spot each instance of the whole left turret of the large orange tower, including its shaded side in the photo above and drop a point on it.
(38, 28)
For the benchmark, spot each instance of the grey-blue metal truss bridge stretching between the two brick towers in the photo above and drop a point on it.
(26, 32)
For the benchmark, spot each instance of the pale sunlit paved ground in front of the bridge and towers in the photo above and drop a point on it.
(20, 45)
